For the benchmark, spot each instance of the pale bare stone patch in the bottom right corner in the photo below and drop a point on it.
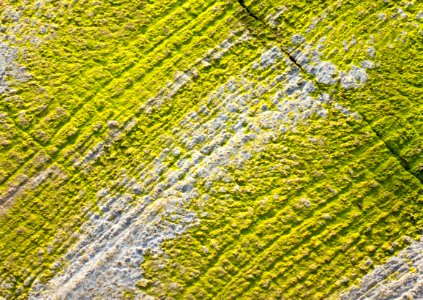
(401, 277)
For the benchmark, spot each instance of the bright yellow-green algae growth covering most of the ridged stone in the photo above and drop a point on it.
(106, 61)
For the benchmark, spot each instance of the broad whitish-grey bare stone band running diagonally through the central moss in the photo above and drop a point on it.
(116, 241)
